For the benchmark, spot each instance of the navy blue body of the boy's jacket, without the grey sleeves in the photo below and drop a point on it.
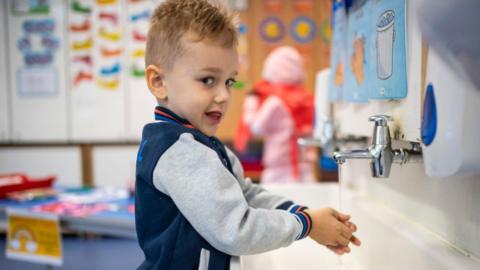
(168, 240)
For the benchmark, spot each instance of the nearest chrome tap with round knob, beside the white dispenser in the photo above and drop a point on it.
(380, 152)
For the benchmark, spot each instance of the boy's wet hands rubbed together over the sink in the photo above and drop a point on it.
(333, 229)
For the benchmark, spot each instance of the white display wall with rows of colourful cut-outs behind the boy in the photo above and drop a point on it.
(80, 64)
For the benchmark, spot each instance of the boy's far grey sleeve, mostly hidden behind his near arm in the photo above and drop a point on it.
(255, 194)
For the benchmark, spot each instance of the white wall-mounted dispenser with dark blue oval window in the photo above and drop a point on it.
(450, 127)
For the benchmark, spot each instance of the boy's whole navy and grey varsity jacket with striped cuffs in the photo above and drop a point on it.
(195, 210)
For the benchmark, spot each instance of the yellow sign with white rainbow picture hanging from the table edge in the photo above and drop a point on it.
(33, 237)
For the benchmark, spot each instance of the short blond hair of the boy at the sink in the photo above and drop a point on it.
(173, 18)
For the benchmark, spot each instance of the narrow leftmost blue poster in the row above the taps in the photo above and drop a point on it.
(338, 50)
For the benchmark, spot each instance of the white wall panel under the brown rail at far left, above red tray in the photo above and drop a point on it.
(64, 162)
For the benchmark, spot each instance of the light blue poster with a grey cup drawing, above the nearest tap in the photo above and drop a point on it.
(387, 43)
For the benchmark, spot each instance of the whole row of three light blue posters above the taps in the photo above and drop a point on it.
(369, 51)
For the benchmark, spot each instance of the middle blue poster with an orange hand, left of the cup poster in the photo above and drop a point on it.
(359, 53)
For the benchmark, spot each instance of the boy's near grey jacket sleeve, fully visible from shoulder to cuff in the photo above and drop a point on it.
(211, 199)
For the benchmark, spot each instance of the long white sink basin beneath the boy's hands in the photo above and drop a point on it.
(389, 241)
